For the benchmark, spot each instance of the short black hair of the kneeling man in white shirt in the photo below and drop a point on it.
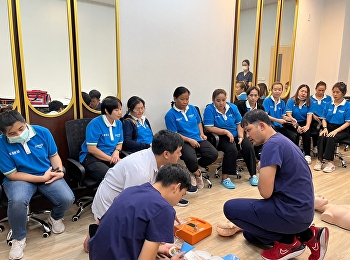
(166, 140)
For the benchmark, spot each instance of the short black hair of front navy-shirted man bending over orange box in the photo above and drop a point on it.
(173, 174)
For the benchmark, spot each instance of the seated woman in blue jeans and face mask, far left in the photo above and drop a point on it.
(30, 163)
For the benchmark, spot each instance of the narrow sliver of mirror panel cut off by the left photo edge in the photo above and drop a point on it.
(7, 84)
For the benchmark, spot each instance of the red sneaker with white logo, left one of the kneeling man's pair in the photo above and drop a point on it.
(281, 251)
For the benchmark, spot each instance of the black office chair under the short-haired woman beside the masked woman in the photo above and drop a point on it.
(75, 131)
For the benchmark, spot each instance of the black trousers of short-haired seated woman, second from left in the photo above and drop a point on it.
(95, 168)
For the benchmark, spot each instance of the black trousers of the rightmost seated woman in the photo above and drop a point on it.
(326, 145)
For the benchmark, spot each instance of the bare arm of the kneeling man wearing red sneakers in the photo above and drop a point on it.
(267, 180)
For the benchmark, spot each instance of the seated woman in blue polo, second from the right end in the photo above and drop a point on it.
(318, 102)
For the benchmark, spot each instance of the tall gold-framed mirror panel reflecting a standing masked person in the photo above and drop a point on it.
(246, 34)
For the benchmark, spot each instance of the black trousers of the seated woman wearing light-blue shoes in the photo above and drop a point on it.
(230, 150)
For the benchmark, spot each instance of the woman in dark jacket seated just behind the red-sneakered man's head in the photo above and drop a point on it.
(251, 103)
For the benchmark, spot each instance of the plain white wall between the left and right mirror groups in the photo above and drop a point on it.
(165, 44)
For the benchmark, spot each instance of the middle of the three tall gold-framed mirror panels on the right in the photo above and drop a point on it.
(267, 41)
